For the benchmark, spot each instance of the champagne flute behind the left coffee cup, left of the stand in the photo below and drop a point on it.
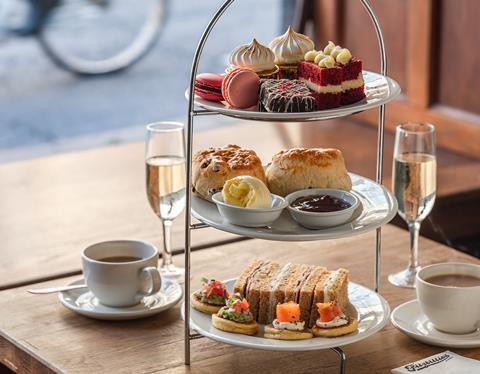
(165, 163)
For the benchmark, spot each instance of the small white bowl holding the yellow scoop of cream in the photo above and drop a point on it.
(250, 217)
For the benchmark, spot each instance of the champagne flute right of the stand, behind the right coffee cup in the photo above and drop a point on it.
(414, 183)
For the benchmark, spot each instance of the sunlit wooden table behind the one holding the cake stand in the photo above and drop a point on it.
(52, 207)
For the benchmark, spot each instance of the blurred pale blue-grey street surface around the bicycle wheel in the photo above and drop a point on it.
(45, 109)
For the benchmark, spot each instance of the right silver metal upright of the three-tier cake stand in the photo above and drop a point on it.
(380, 135)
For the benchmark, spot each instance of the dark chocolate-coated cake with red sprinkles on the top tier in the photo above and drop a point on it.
(285, 96)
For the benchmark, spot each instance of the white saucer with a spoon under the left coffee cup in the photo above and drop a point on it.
(83, 302)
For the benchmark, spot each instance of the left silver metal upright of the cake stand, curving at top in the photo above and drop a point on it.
(189, 146)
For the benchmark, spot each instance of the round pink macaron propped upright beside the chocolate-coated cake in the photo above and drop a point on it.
(240, 88)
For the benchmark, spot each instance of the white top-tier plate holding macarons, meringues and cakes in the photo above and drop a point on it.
(378, 89)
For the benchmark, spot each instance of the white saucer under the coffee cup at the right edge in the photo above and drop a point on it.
(409, 318)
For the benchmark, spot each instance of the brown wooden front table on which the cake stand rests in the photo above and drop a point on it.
(39, 335)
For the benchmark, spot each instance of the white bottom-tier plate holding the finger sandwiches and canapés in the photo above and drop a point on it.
(373, 312)
